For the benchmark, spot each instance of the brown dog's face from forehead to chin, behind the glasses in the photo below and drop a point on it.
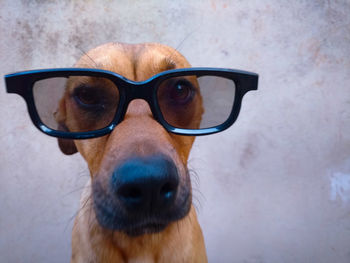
(140, 183)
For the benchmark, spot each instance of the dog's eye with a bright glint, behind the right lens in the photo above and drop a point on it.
(181, 92)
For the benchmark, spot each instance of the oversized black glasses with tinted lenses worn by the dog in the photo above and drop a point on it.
(81, 103)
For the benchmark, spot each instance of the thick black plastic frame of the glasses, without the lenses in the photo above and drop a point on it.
(22, 84)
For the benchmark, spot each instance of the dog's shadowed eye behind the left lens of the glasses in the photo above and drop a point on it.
(88, 97)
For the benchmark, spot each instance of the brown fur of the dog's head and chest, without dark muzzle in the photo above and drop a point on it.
(140, 134)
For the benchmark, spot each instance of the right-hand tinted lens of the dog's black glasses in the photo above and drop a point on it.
(192, 102)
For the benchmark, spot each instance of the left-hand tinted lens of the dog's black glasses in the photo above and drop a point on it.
(77, 103)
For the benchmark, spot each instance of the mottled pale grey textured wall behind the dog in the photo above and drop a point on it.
(275, 187)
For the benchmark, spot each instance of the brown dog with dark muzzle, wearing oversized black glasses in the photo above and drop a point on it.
(103, 231)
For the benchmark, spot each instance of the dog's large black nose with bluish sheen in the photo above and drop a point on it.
(146, 184)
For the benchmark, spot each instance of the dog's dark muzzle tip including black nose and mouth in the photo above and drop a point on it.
(144, 195)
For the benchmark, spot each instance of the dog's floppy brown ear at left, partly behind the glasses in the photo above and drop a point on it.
(67, 146)
